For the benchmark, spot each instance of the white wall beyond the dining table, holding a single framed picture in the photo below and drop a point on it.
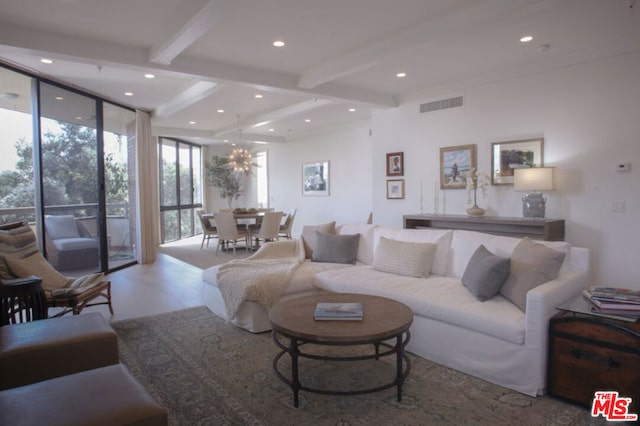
(348, 150)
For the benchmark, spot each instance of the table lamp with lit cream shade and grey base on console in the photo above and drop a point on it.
(534, 181)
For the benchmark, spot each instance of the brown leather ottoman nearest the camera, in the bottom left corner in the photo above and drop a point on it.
(104, 396)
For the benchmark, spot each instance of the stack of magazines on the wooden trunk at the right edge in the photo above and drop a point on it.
(614, 301)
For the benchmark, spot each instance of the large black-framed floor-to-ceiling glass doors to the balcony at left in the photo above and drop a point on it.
(72, 162)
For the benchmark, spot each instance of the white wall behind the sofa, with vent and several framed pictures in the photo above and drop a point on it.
(589, 116)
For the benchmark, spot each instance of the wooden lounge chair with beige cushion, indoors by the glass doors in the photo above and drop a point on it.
(20, 258)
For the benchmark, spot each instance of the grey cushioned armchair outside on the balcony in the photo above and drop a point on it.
(69, 244)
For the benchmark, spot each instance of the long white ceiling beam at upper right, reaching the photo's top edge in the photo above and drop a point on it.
(438, 28)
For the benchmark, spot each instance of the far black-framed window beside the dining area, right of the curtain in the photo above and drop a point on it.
(180, 188)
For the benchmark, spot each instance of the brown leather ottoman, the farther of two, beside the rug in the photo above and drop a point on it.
(41, 350)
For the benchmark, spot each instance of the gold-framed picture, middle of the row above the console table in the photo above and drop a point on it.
(455, 165)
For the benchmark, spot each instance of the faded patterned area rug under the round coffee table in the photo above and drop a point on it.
(206, 372)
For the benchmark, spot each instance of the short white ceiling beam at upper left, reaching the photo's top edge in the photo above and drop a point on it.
(214, 12)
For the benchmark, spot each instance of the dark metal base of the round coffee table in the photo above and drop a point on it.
(403, 363)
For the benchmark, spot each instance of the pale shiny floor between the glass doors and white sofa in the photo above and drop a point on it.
(143, 290)
